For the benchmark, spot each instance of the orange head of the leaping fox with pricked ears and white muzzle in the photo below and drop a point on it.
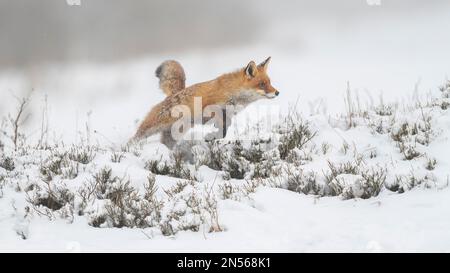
(257, 80)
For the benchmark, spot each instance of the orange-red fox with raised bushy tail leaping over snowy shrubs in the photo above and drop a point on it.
(240, 88)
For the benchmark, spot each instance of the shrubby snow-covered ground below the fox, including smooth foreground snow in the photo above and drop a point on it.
(368, 180)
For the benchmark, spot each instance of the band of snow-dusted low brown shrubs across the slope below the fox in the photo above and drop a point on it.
(128, 187)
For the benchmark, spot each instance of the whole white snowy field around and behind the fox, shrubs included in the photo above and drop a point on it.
(356, 158)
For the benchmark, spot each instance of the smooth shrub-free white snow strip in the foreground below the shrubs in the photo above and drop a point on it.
(412, 222)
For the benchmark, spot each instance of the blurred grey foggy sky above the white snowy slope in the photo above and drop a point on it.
(35, 32)
